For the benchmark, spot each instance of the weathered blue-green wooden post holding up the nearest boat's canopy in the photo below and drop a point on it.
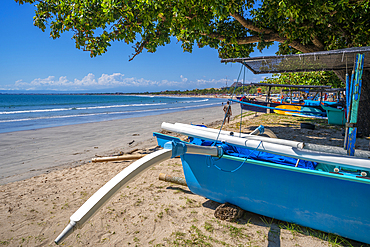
(351, 126)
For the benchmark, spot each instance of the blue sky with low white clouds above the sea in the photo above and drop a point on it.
(32, 61)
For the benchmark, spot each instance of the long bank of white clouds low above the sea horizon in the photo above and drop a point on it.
(113, 81)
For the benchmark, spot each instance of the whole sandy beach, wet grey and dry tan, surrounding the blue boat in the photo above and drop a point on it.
(47, 174)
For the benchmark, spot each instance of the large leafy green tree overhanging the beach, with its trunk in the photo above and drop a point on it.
(234, 27)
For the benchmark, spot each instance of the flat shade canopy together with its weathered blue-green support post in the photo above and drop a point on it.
(334, 60)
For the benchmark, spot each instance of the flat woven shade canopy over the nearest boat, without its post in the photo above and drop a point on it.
(317, 61)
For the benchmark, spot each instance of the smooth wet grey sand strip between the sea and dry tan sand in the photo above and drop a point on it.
(30, 153)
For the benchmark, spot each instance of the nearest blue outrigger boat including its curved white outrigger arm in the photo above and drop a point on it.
(311, 185)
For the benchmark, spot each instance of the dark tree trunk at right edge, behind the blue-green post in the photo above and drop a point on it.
(363, 119)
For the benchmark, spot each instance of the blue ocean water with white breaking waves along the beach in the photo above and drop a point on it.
(28, 112)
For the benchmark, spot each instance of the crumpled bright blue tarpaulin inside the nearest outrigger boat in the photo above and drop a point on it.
(257, 155)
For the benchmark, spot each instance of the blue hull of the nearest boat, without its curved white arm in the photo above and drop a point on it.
(327, 197)
